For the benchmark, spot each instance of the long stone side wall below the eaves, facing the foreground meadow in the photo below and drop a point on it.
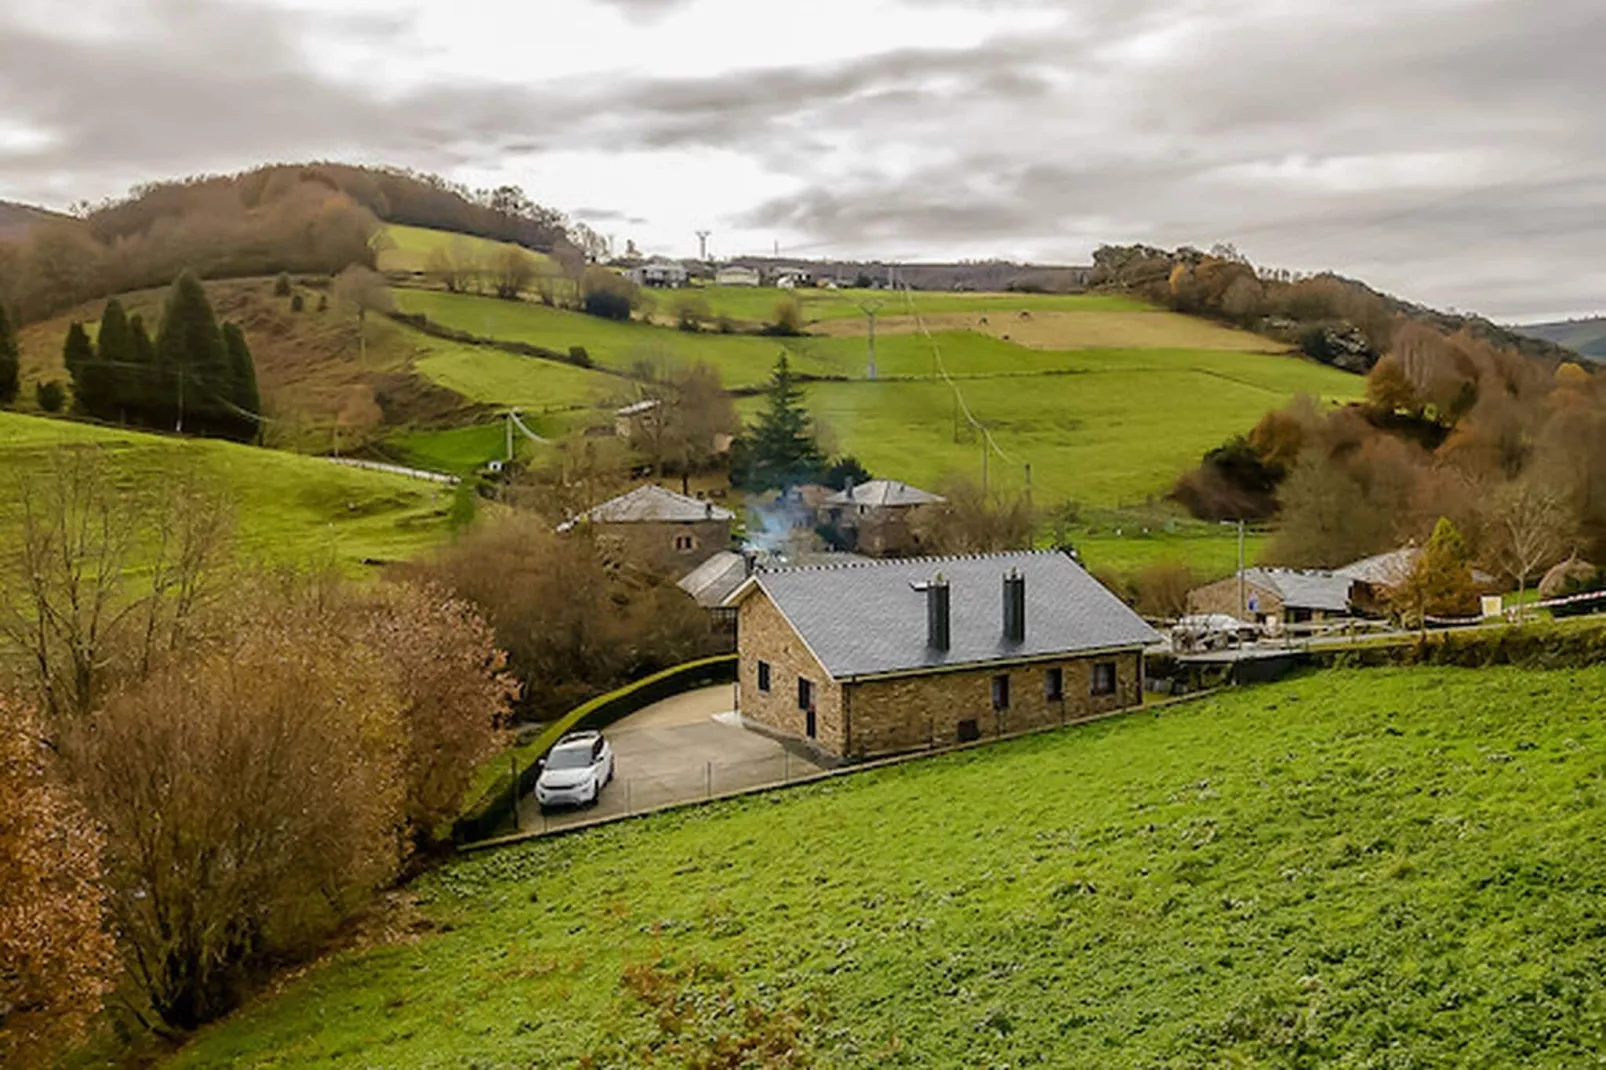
(897, 714)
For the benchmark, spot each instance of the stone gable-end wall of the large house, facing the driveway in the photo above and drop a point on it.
(765, 637)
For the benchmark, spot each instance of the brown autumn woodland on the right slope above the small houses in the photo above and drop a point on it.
(1509, 451)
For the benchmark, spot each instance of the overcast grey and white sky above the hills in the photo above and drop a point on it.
(1446, 150)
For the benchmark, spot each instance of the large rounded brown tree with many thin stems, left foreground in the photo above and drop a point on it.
(251, 798)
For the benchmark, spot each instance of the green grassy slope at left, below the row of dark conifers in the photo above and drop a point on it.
(290, 508)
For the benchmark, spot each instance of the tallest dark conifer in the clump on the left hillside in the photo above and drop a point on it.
(194, 359)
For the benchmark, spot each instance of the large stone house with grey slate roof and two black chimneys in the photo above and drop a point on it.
(892, 656)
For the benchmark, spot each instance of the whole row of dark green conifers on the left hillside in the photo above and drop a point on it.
(197, 377)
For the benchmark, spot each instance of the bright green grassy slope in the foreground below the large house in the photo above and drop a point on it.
(1372, 868)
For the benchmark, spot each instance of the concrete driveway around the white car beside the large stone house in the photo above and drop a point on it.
(683, 748)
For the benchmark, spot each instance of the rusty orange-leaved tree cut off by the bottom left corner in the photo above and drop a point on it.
(57, 955)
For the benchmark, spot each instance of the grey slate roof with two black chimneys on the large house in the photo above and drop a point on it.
(866, 619)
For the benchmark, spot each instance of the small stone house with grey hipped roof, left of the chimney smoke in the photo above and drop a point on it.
(659, 528)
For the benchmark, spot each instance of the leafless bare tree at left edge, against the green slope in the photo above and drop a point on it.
(105, 582)
